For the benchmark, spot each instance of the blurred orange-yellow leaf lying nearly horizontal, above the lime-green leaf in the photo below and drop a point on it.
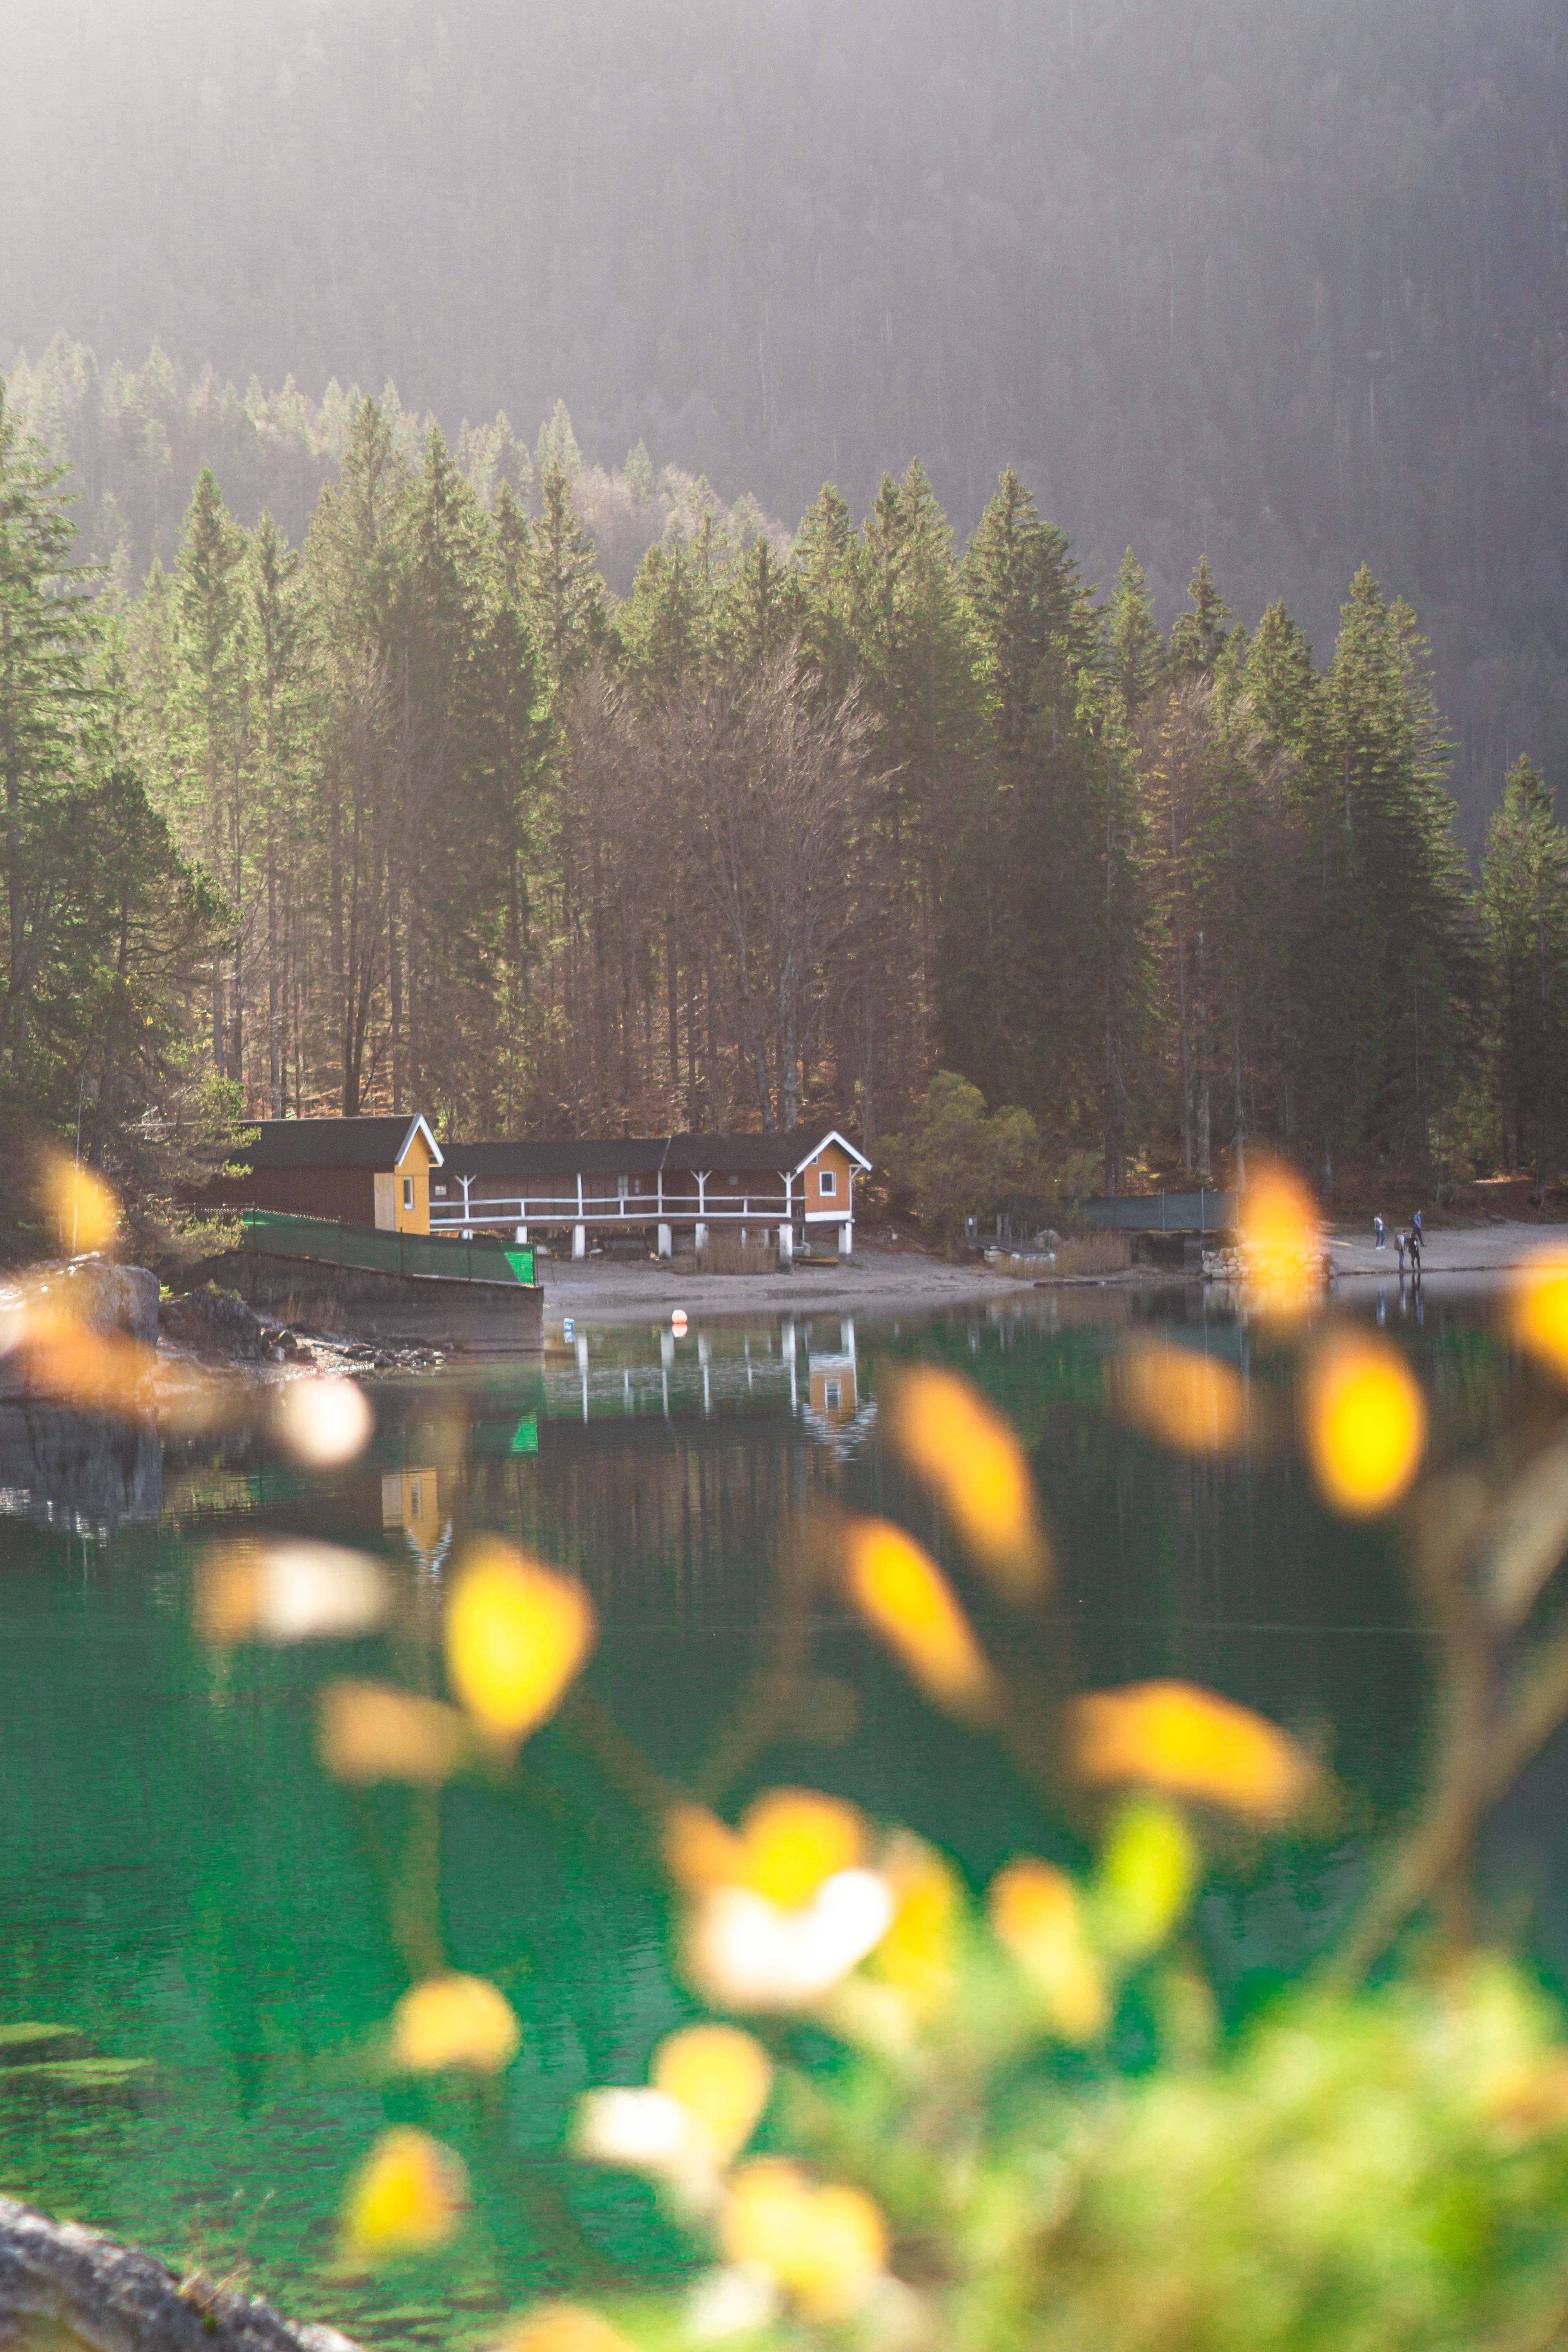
(1191, 1744)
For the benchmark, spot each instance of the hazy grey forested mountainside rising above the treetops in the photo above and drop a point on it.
(1282, 283)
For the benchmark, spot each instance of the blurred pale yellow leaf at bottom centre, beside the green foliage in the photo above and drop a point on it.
(824, 2245)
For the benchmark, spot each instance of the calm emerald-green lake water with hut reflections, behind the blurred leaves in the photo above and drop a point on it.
(185, 1885)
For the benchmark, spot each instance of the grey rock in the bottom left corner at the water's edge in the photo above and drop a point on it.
(81, 2292)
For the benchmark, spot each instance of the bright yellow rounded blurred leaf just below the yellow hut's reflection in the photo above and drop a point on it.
(516, 1636)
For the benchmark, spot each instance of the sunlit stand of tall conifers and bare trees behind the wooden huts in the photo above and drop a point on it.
(422, 815)
